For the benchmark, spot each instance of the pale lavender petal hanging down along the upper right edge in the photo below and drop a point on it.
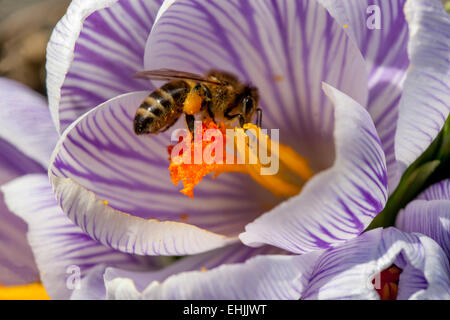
(425, 103)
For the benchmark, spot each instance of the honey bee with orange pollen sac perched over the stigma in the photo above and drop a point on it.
(218, 95)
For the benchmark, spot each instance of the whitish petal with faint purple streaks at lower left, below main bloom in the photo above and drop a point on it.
(63, 253)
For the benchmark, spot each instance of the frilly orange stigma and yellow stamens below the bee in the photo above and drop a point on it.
(216, 149)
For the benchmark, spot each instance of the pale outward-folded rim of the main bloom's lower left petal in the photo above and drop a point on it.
(128, 233)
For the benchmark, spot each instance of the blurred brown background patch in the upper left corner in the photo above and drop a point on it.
(25, 28)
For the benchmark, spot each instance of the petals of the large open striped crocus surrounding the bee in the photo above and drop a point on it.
(100, 160)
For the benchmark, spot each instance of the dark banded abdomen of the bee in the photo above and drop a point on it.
(161, 108)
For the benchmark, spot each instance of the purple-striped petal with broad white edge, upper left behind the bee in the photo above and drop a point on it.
(94, 52)
